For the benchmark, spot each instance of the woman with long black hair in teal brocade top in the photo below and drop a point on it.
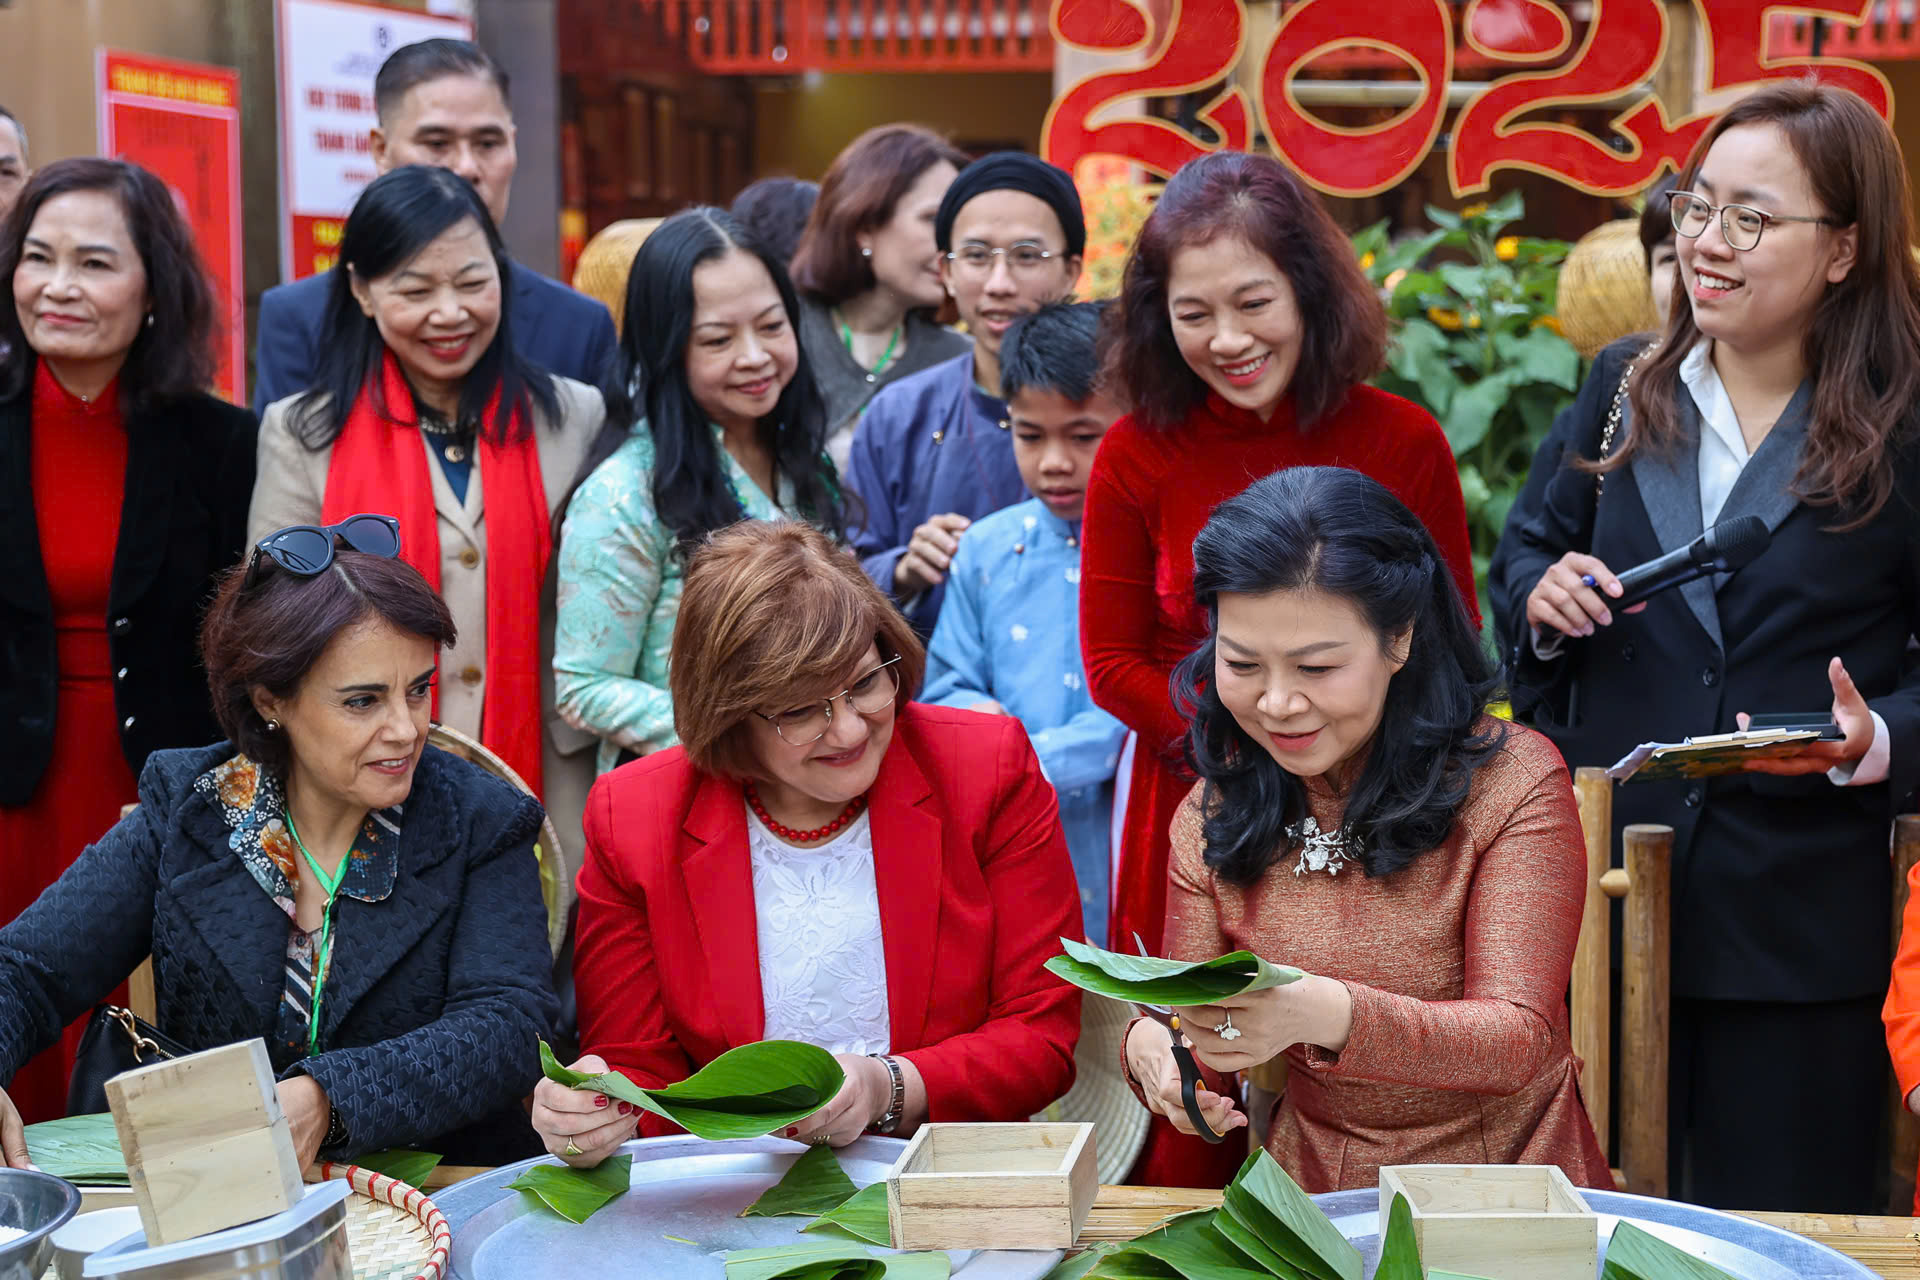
(727, 427)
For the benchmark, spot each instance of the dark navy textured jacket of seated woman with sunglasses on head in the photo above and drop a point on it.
(437, 997)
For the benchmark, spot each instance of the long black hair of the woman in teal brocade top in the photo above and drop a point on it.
(690, 483)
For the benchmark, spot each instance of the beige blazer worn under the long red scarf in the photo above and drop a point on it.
(289, 490)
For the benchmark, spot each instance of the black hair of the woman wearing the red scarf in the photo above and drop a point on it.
(400, 214)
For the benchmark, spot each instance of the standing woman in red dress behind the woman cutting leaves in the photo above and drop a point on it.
(1243, 337)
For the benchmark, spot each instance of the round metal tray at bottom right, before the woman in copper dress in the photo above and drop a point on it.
(1739, 1246)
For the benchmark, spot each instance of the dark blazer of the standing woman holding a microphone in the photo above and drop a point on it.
(1781, 886)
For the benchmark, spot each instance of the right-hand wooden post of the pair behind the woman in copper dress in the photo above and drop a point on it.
(1644, 1007)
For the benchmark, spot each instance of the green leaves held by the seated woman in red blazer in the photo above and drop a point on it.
(746, 1093)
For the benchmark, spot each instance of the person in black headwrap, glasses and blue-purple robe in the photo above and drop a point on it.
(936, 452)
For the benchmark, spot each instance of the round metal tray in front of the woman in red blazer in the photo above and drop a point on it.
(683, 1187)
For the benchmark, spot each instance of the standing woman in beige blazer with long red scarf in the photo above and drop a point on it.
(423, 408)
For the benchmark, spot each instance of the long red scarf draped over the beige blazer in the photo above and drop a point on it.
(381, 465)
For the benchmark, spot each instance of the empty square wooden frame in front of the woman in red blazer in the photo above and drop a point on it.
(1001, 1187)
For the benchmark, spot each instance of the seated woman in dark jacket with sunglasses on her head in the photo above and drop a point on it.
(322, 880)
